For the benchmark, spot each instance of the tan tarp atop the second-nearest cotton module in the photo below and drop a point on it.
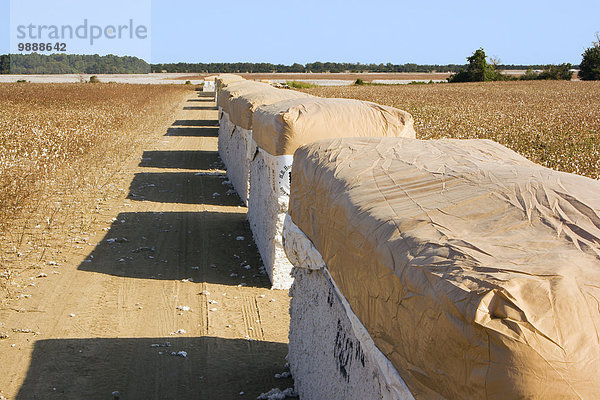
(282, 127)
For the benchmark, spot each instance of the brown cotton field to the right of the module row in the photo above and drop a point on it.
(555, 124)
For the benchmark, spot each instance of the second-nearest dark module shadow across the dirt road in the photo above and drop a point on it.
(179, 245)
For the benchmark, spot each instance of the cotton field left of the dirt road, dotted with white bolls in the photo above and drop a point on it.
(47, 129)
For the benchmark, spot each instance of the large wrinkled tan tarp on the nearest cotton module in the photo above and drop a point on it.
(476, 272)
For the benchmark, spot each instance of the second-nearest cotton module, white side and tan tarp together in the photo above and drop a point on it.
(278, 129)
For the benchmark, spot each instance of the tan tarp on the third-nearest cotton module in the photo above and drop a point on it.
(243, 106)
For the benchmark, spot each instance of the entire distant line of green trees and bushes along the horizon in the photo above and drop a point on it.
(477, 68)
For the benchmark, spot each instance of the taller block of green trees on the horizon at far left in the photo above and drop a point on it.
(71, 64)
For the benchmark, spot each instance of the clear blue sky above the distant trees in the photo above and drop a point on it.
(283, 31)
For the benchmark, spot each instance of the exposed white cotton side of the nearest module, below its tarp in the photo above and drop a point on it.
(331, 355)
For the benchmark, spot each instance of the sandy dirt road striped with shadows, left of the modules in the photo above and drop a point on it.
(165, 300)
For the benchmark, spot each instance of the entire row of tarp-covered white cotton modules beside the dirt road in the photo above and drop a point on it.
(418, 269)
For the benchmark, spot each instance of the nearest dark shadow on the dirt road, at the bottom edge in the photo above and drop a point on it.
(213, 368)
